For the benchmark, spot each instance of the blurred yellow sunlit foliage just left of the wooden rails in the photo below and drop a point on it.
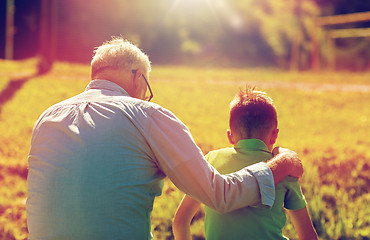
(298, 19)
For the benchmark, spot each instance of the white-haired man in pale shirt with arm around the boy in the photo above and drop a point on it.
(98, 159)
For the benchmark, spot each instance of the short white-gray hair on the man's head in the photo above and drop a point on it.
(119, 54)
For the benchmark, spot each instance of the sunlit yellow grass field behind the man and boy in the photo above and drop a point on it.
(324, 117)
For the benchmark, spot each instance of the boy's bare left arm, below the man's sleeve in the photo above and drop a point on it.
(183, 216)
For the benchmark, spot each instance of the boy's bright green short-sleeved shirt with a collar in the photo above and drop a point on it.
(257, 222)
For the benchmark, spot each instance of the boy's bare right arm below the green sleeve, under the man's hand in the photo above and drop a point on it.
(302, 223)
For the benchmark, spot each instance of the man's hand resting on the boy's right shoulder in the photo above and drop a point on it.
(284, 163)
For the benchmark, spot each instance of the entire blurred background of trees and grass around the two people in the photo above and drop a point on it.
(311, 56)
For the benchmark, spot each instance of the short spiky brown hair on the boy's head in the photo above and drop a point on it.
(252, 113)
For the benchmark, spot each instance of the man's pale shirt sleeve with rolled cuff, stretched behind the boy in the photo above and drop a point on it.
(182, 161)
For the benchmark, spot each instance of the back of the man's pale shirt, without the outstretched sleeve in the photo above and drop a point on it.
(95, 174)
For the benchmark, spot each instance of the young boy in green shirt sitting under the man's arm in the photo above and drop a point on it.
(253, 131)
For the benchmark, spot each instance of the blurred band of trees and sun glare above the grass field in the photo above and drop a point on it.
(289, 34)
